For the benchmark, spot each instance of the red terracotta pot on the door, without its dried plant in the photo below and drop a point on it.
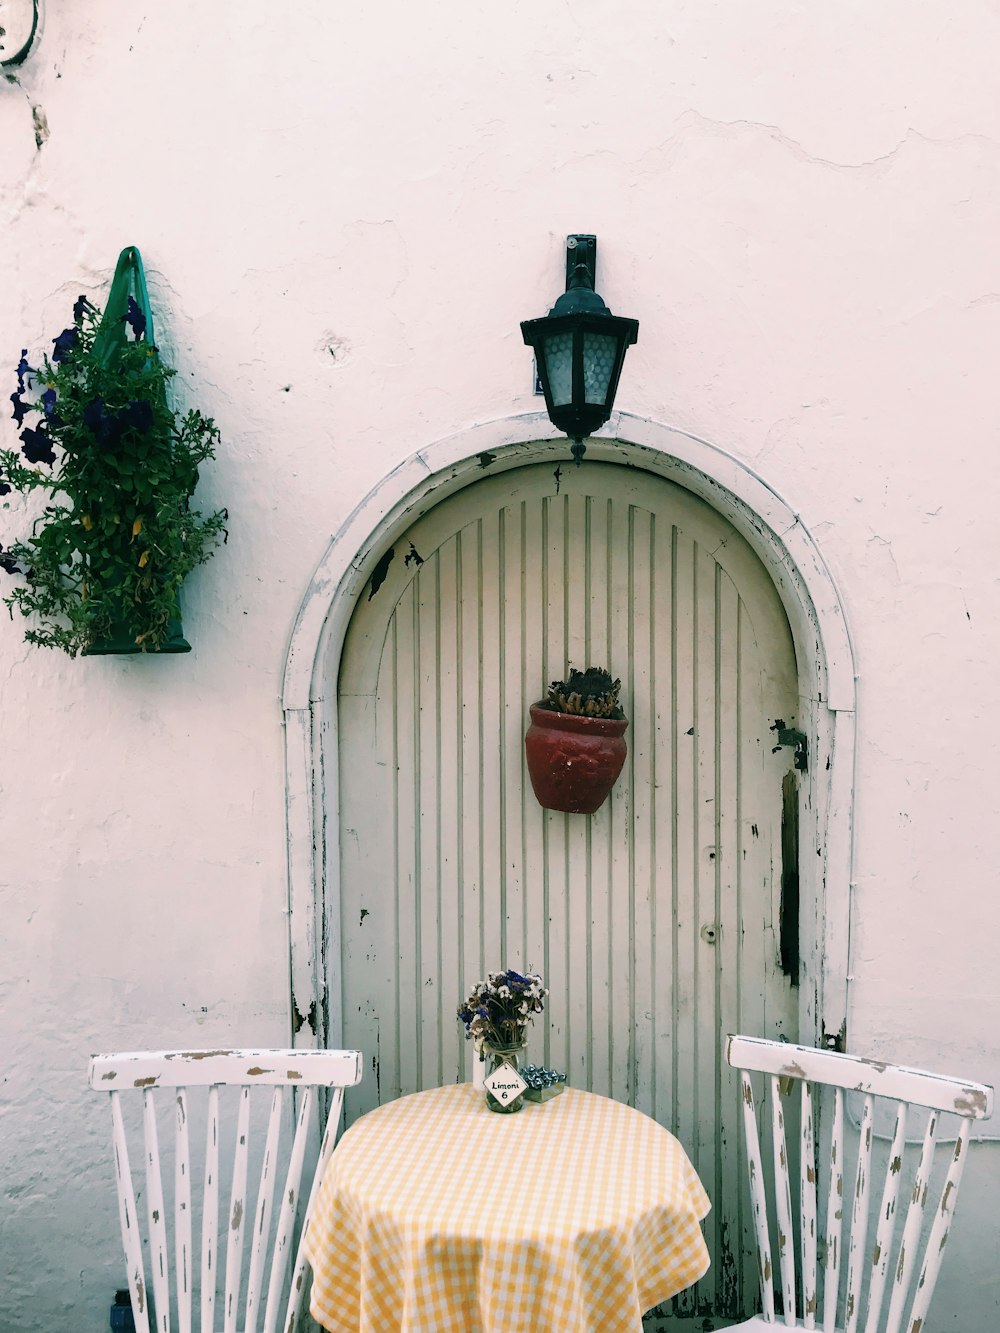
(574, 762)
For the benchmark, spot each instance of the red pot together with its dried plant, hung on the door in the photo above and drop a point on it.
(575, 746)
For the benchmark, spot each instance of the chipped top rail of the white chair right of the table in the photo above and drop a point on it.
(974, 1102)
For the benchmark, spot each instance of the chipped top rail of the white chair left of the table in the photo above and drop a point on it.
(138, 1070)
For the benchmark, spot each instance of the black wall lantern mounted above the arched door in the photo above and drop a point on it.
(579, 349)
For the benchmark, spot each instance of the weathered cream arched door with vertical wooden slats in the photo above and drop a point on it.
(655, 923)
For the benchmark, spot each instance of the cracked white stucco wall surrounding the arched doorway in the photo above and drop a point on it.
(345, 215)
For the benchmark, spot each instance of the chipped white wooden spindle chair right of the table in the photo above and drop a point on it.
(873, 1264)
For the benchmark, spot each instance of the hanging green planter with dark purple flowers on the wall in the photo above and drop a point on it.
(105, 563)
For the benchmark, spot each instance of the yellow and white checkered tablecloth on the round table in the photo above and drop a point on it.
(441, 1216)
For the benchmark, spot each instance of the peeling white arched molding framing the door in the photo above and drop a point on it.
(825, 655)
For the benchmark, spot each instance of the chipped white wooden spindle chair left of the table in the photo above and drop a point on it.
(269, 1292)
